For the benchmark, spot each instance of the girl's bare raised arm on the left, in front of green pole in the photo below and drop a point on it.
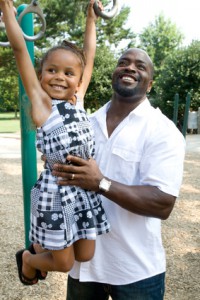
(41, 102)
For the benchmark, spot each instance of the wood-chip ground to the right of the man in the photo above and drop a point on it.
(181, 237)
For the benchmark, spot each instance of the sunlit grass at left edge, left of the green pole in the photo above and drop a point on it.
(8, 123)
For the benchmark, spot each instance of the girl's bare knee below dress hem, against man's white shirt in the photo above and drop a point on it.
(84, 250)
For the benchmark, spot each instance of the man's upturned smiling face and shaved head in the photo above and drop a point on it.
(133, 74)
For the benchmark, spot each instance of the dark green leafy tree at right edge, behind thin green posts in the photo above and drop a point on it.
(180, 74)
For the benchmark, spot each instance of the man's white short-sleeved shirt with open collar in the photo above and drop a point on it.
(145, 149)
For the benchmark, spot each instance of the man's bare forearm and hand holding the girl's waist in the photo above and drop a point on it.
(142, 200)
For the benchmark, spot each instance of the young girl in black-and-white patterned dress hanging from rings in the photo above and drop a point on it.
(64, 220)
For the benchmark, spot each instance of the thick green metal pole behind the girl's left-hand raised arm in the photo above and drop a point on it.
(28, 150)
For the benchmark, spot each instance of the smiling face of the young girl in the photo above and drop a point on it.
(61, 74)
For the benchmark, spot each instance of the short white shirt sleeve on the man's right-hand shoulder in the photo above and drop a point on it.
(162, 161)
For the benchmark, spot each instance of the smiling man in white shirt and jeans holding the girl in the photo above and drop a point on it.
(138, 170)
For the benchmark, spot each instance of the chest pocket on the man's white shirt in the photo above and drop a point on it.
(127, 163)
